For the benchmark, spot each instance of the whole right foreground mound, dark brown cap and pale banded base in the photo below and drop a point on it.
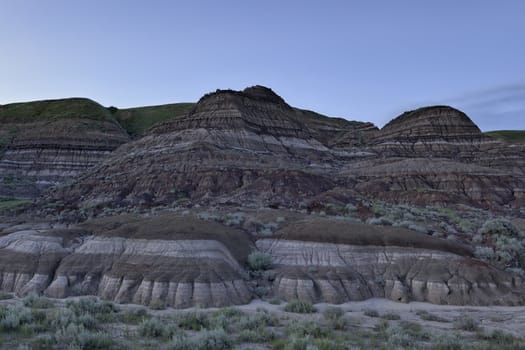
(335, 262)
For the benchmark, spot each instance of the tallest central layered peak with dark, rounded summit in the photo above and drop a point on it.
(247, 147)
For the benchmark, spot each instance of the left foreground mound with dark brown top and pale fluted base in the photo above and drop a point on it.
(173, 261)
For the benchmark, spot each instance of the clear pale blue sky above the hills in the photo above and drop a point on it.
(361, 60)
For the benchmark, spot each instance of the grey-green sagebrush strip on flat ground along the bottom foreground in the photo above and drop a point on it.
(78, 325)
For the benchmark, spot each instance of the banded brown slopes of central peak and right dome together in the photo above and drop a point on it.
(251, 147)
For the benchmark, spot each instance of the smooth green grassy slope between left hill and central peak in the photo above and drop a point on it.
(137, 120)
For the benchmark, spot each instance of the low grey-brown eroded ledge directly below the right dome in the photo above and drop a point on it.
(424, 181)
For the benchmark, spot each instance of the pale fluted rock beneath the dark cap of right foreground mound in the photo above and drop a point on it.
(338, 273)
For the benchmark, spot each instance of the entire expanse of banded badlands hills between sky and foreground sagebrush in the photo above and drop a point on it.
(242, 196)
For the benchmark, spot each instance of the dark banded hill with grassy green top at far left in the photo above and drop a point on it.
(49, 142)
